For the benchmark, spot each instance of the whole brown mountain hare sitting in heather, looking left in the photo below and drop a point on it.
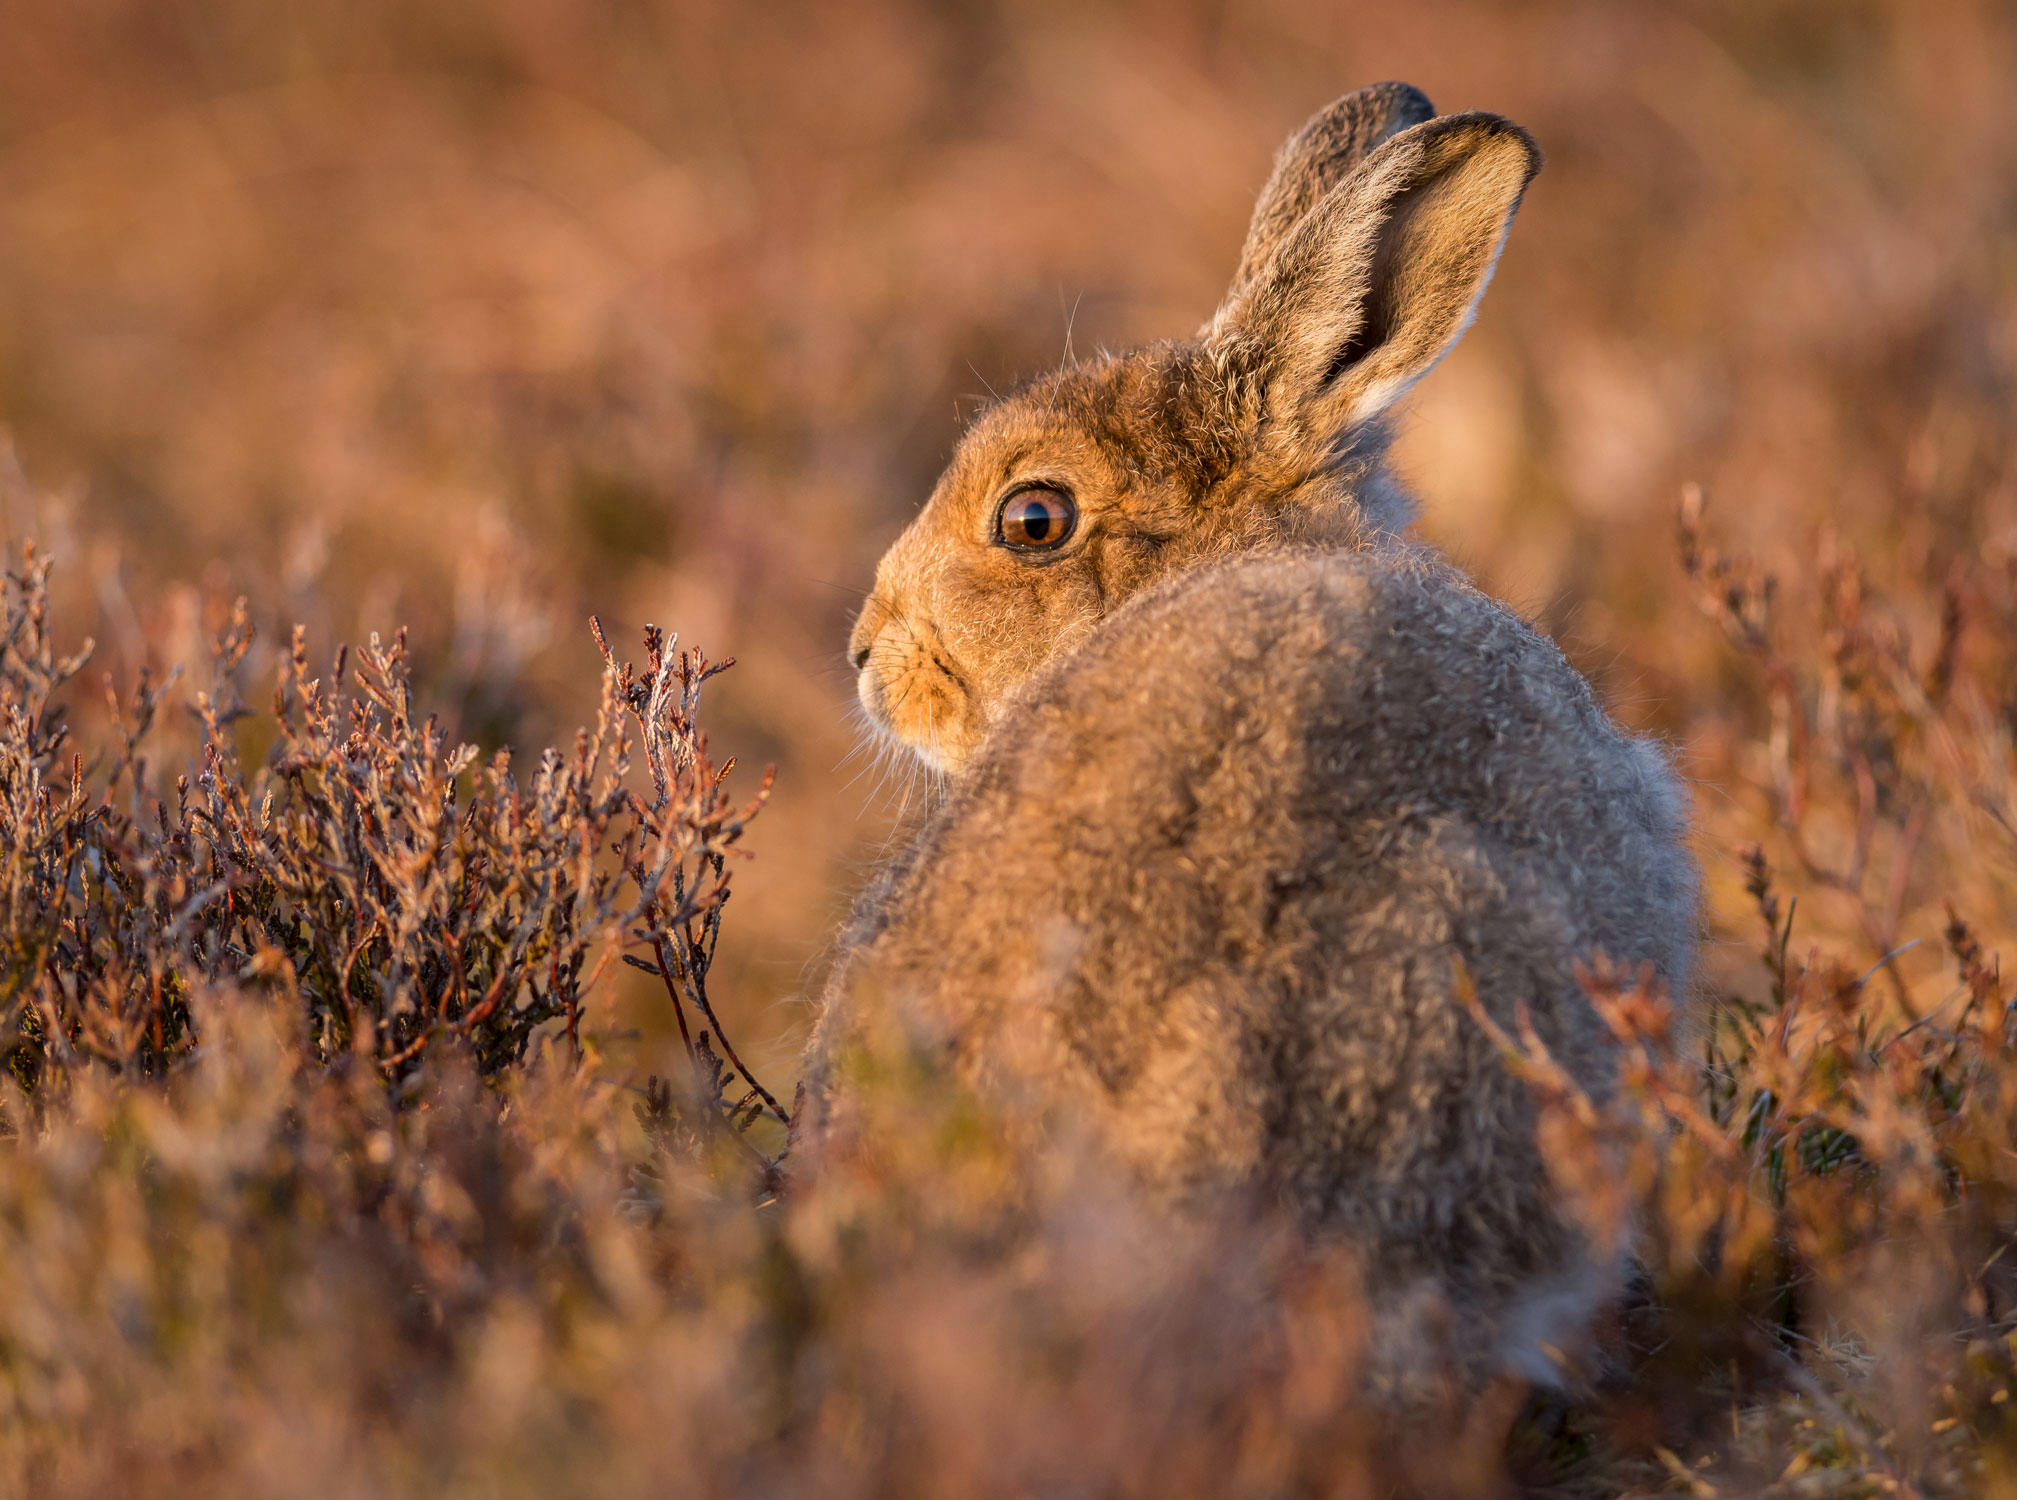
(1245, 787)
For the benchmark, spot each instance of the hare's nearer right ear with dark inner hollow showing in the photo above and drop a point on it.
(1379, 279)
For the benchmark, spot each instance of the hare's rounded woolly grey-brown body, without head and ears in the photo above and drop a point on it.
(1211, 884)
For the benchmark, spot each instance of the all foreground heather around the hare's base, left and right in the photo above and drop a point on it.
(322, 1184)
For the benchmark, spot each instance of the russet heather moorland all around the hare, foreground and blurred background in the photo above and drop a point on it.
(334, 1156)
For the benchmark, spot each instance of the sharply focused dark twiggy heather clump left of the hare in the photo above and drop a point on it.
(392, 888)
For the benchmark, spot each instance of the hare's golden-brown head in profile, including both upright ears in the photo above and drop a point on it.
(1367, 259)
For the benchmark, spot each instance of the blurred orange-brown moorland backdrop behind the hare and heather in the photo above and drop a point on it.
(483, 318)
